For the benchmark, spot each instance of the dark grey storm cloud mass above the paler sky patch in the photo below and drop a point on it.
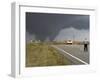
(44, 25)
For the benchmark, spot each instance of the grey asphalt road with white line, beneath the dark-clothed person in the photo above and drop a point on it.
(74, 53)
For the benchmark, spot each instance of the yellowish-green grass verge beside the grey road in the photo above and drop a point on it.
(42, 54)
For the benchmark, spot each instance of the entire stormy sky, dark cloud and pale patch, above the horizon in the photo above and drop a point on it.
(43, 26)
